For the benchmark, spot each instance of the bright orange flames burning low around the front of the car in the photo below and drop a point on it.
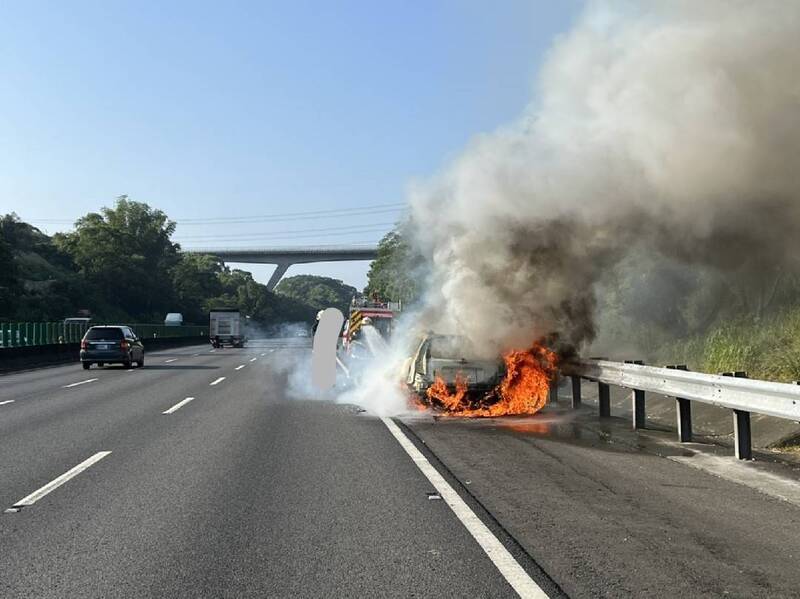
(523, 390)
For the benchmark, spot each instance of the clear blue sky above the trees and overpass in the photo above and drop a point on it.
(245, 109)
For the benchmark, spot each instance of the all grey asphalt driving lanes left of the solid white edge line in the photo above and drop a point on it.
(239, 492)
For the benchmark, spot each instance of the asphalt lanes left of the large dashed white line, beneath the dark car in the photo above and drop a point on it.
(51, 427)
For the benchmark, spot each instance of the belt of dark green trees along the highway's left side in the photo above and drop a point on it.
(121, 265)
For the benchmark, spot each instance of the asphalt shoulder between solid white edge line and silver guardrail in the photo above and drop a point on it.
(604, 518)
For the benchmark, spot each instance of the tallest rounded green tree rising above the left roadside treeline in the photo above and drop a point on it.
(127, 254)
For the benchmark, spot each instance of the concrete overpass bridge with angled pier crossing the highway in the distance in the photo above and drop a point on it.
(284, 257)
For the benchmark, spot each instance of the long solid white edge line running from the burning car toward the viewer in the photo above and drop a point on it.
(501, 558)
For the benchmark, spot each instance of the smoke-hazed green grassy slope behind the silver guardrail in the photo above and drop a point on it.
(711, 320)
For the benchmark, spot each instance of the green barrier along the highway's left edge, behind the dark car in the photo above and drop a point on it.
(27, 334)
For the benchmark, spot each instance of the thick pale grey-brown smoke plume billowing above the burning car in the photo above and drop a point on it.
(669, 126)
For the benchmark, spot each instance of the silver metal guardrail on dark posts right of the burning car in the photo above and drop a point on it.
(728, 390)
